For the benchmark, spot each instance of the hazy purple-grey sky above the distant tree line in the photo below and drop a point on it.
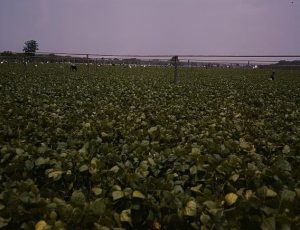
(239, 27)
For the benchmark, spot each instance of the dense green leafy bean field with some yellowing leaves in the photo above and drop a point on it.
(126, 149)
